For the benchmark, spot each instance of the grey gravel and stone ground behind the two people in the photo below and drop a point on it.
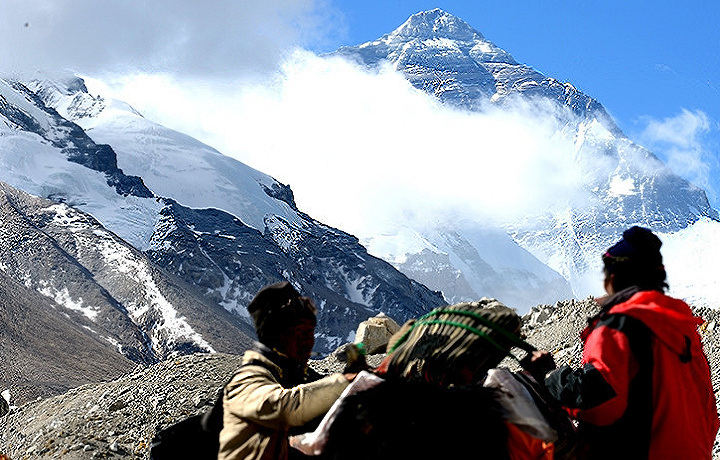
(117, 419)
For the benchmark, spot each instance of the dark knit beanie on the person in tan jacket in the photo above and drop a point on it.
(276, 308)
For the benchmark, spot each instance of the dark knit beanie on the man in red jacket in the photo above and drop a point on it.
(639, 248)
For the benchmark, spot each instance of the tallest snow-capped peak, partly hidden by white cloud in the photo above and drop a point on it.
(620, 183)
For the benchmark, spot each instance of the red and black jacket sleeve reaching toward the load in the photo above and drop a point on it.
(597, 392)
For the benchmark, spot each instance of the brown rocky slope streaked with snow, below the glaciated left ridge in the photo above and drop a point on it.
(103, 286)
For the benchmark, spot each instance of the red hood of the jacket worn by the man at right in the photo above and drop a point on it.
(670, 319)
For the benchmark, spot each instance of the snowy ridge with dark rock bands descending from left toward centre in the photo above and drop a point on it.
(221, 227)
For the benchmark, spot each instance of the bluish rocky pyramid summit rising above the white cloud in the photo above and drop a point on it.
(443, 55)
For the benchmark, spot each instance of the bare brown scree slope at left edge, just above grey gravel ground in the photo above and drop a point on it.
(37, 364)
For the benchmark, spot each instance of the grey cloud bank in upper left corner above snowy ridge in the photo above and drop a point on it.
(218, 38)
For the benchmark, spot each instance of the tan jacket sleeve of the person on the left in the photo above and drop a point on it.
(256, 396)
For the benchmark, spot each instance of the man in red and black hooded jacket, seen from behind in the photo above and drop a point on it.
(644, 390)
